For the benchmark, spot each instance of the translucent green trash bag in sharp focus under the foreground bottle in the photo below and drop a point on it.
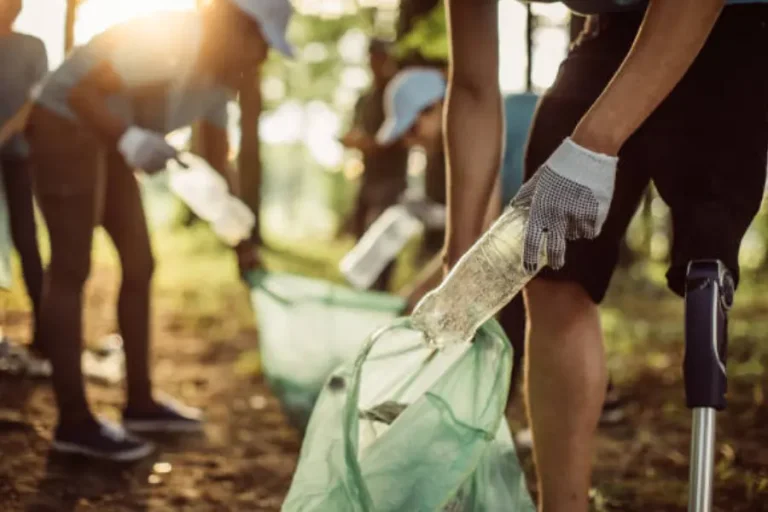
(412, 428)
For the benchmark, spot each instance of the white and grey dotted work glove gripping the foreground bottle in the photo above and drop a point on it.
(569, 197)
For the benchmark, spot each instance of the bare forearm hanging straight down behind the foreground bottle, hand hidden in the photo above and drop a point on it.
(474, 121)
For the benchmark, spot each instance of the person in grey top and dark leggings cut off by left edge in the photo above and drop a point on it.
(23, 63)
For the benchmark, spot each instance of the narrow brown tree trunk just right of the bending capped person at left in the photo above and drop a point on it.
(249, 159)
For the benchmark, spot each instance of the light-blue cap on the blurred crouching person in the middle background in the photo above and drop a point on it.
(407, 95)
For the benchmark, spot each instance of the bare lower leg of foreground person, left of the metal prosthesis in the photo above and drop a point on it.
(566, 382)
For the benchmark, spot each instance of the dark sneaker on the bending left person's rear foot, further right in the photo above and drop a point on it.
(169, 416)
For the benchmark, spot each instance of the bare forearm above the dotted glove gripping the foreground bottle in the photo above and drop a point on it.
(671, 36)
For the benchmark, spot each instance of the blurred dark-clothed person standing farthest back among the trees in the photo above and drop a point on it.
(384, 166)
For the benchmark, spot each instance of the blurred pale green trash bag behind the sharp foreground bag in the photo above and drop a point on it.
(307, 329)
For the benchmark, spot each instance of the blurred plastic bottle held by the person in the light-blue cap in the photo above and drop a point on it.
(379, 246)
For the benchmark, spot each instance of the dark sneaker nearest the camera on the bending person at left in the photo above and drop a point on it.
(103, 440)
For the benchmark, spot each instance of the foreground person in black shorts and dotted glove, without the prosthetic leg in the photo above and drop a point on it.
(632, 103)
